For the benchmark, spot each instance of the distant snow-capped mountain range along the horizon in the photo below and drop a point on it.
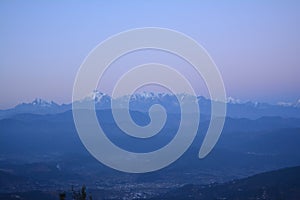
(143, 101)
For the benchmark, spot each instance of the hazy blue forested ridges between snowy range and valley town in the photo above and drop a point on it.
(245, 144)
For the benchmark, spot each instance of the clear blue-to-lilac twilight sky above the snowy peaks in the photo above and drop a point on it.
(255, 44)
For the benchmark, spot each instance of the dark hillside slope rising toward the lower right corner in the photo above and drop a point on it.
(281, 184)
